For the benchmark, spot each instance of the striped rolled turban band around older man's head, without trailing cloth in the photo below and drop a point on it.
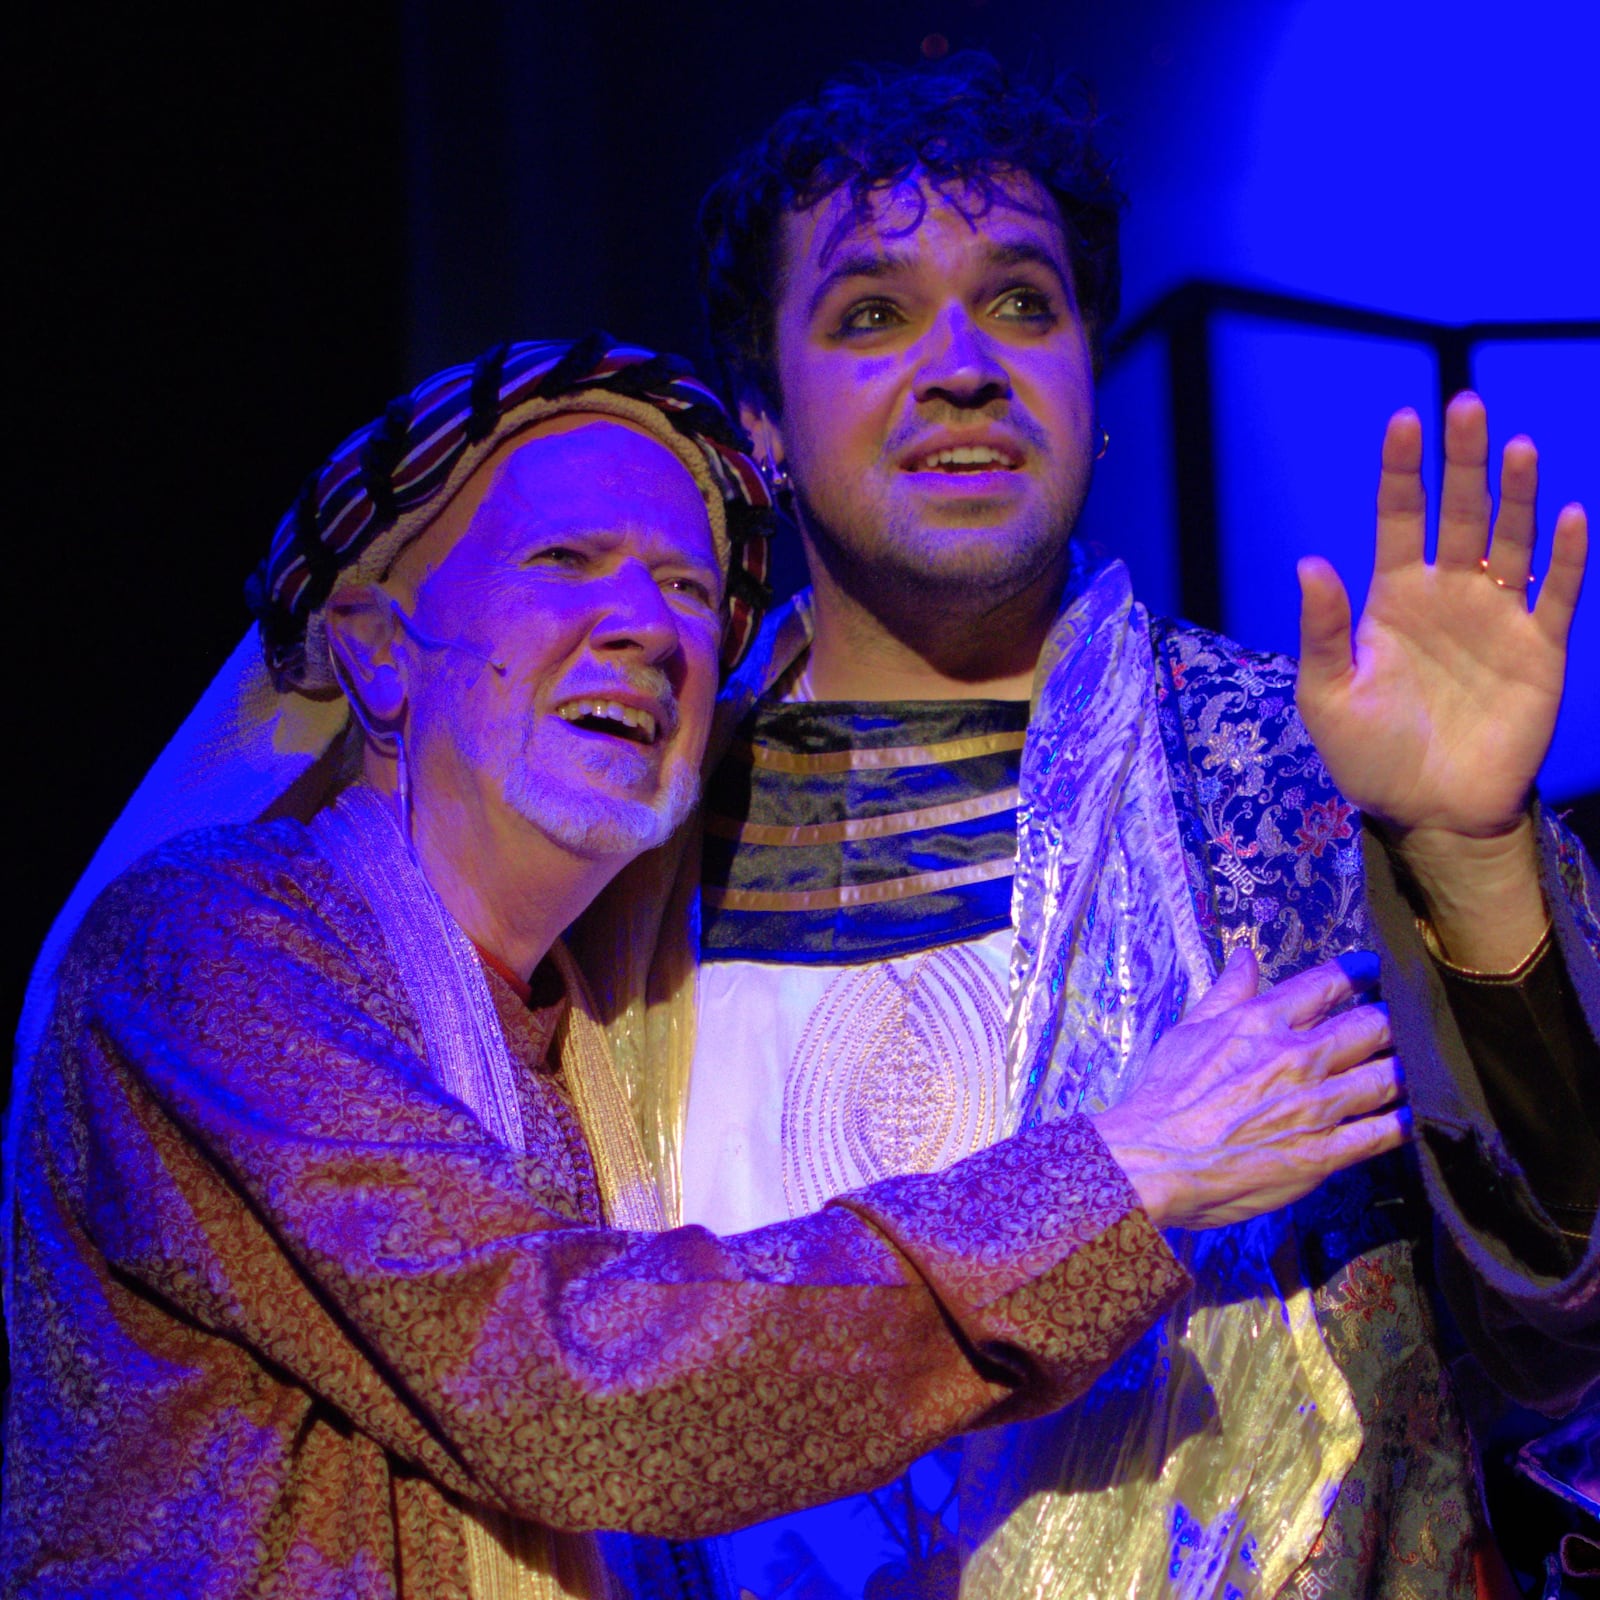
(383, 487)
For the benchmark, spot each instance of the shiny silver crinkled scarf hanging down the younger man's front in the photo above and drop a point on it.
(1206, 1463)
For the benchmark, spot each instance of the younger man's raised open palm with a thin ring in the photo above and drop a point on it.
(1441, 716)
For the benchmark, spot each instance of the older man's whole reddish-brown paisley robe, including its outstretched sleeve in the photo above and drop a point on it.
(281, 1306)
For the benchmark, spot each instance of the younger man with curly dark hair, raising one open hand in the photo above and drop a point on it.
(983, 831)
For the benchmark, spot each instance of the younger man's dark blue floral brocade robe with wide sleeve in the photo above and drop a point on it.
(1278, 860)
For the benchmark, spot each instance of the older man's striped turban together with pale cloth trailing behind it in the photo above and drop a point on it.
(265, 738)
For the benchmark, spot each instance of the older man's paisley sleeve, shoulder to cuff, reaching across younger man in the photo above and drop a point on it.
(262, 1148)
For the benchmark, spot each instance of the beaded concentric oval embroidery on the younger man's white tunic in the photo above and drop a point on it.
(897, 1071)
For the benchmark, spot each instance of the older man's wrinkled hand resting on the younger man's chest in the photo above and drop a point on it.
(1255, 1098)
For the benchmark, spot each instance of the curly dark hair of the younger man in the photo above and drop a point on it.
(966, 124)
